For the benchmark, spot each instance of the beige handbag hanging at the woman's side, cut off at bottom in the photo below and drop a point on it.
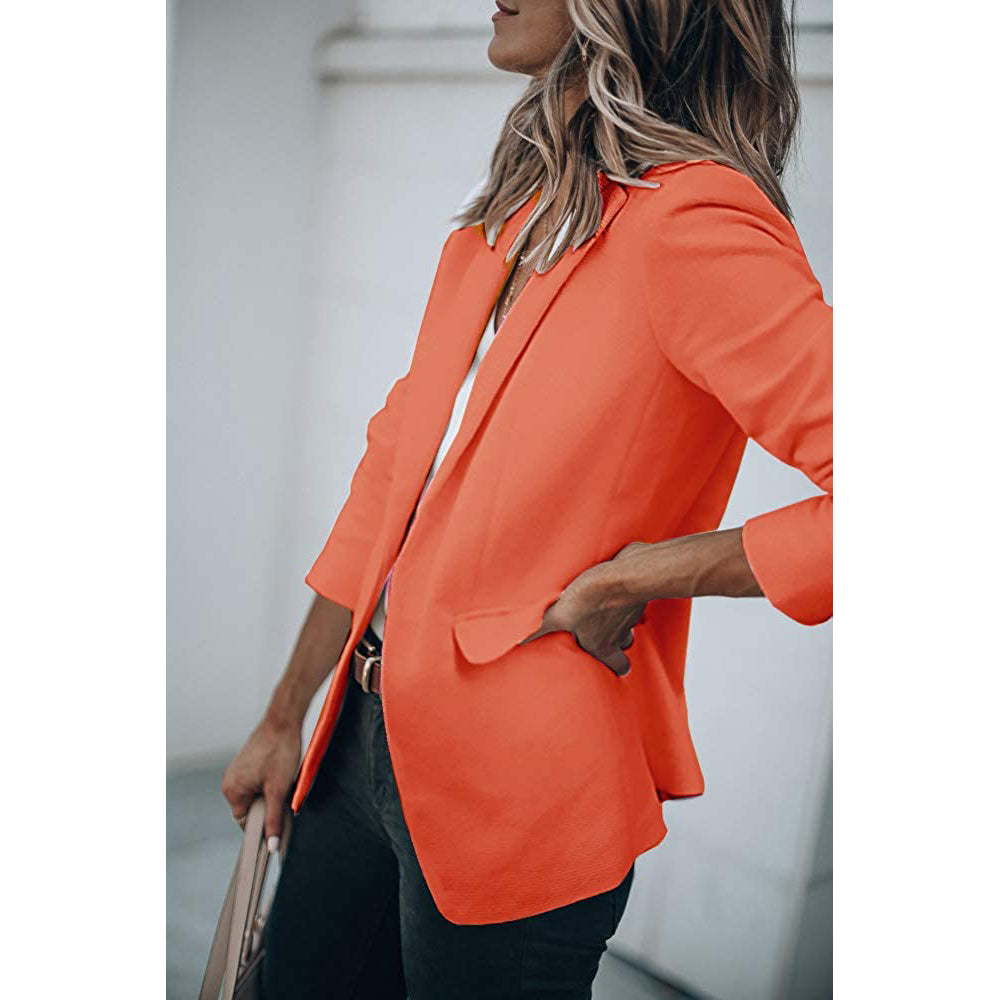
(234, 962)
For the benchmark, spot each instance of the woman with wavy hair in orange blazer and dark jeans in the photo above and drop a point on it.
(624, 302)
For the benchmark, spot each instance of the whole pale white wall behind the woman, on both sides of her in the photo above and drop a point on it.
(281, 347)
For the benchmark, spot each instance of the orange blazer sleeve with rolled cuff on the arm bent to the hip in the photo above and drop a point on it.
(736, 308)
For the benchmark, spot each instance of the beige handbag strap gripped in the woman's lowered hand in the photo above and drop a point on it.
(239, 907)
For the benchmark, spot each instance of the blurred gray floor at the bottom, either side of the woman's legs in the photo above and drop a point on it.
(202, 842)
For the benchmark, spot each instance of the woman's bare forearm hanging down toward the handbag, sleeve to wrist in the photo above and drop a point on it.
(320, 643)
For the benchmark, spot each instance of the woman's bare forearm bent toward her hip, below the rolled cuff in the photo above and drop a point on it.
(708, 564)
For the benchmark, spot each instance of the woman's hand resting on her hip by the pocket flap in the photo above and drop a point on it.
(597, 613)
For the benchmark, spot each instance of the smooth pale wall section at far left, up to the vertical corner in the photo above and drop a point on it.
(244, 130)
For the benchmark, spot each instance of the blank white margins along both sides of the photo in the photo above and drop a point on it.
(83, 404)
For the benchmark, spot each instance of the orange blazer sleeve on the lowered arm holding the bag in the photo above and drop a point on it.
(336, 573)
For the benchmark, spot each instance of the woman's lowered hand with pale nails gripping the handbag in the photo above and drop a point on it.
(266, 766)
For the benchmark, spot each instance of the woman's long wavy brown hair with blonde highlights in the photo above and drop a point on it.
(666, 81)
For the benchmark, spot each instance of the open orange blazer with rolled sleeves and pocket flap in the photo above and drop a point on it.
(613, 406)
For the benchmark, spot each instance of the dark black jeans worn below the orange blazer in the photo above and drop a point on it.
(353, 918)
